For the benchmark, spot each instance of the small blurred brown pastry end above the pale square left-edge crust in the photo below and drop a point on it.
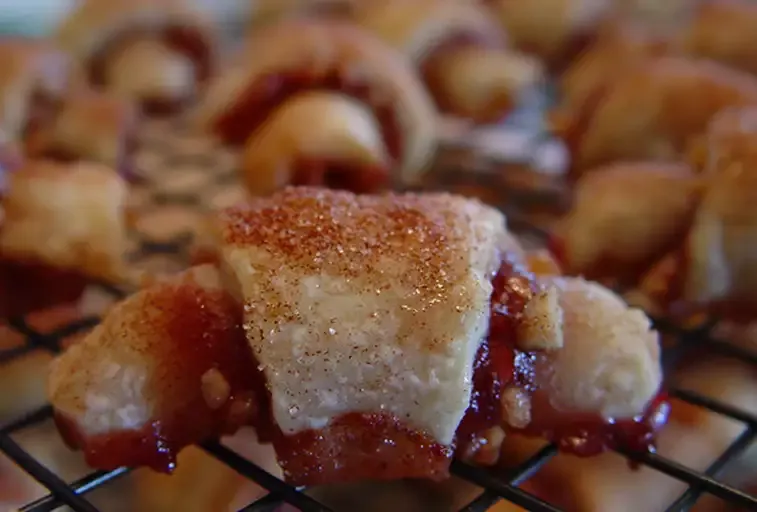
(92, 126)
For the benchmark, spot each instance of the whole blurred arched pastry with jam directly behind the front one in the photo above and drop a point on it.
(322, 102)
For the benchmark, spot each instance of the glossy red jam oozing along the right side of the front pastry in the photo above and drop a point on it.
(499, 364)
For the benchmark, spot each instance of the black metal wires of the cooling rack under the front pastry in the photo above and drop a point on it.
(495, 486)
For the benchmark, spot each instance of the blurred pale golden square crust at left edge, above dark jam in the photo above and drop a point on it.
(66, 216)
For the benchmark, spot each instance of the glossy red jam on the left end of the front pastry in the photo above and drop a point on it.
(202, 332)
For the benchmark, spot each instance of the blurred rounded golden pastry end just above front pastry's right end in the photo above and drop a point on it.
(625, 217)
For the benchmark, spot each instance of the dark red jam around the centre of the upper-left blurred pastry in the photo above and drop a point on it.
(191, 42)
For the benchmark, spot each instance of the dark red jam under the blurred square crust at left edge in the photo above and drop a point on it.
(27, 287)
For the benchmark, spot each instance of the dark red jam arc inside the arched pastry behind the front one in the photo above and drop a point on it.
(267, 93)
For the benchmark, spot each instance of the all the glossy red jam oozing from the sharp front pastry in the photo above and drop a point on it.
(354, 446)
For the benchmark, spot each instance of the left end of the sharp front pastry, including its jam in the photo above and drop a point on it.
(167, 367)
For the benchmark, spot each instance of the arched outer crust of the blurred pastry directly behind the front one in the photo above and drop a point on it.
(315, 50)
